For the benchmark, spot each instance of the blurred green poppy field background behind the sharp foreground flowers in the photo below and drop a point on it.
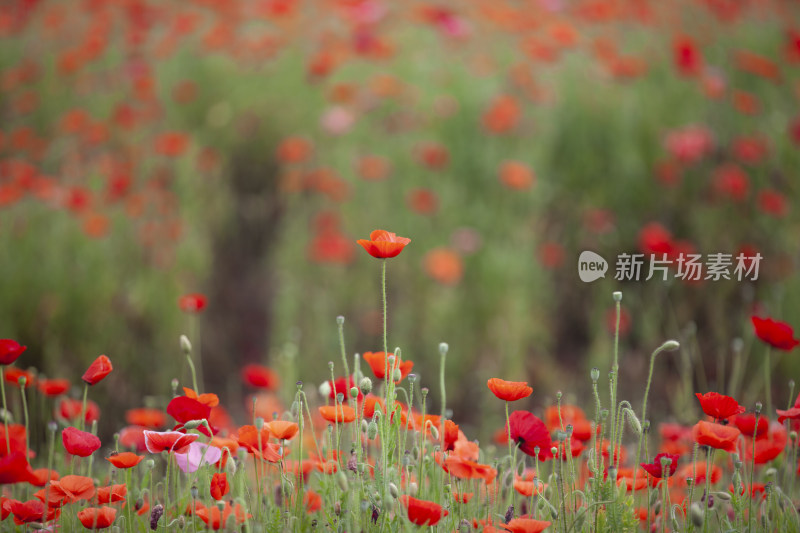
(238, 149)
